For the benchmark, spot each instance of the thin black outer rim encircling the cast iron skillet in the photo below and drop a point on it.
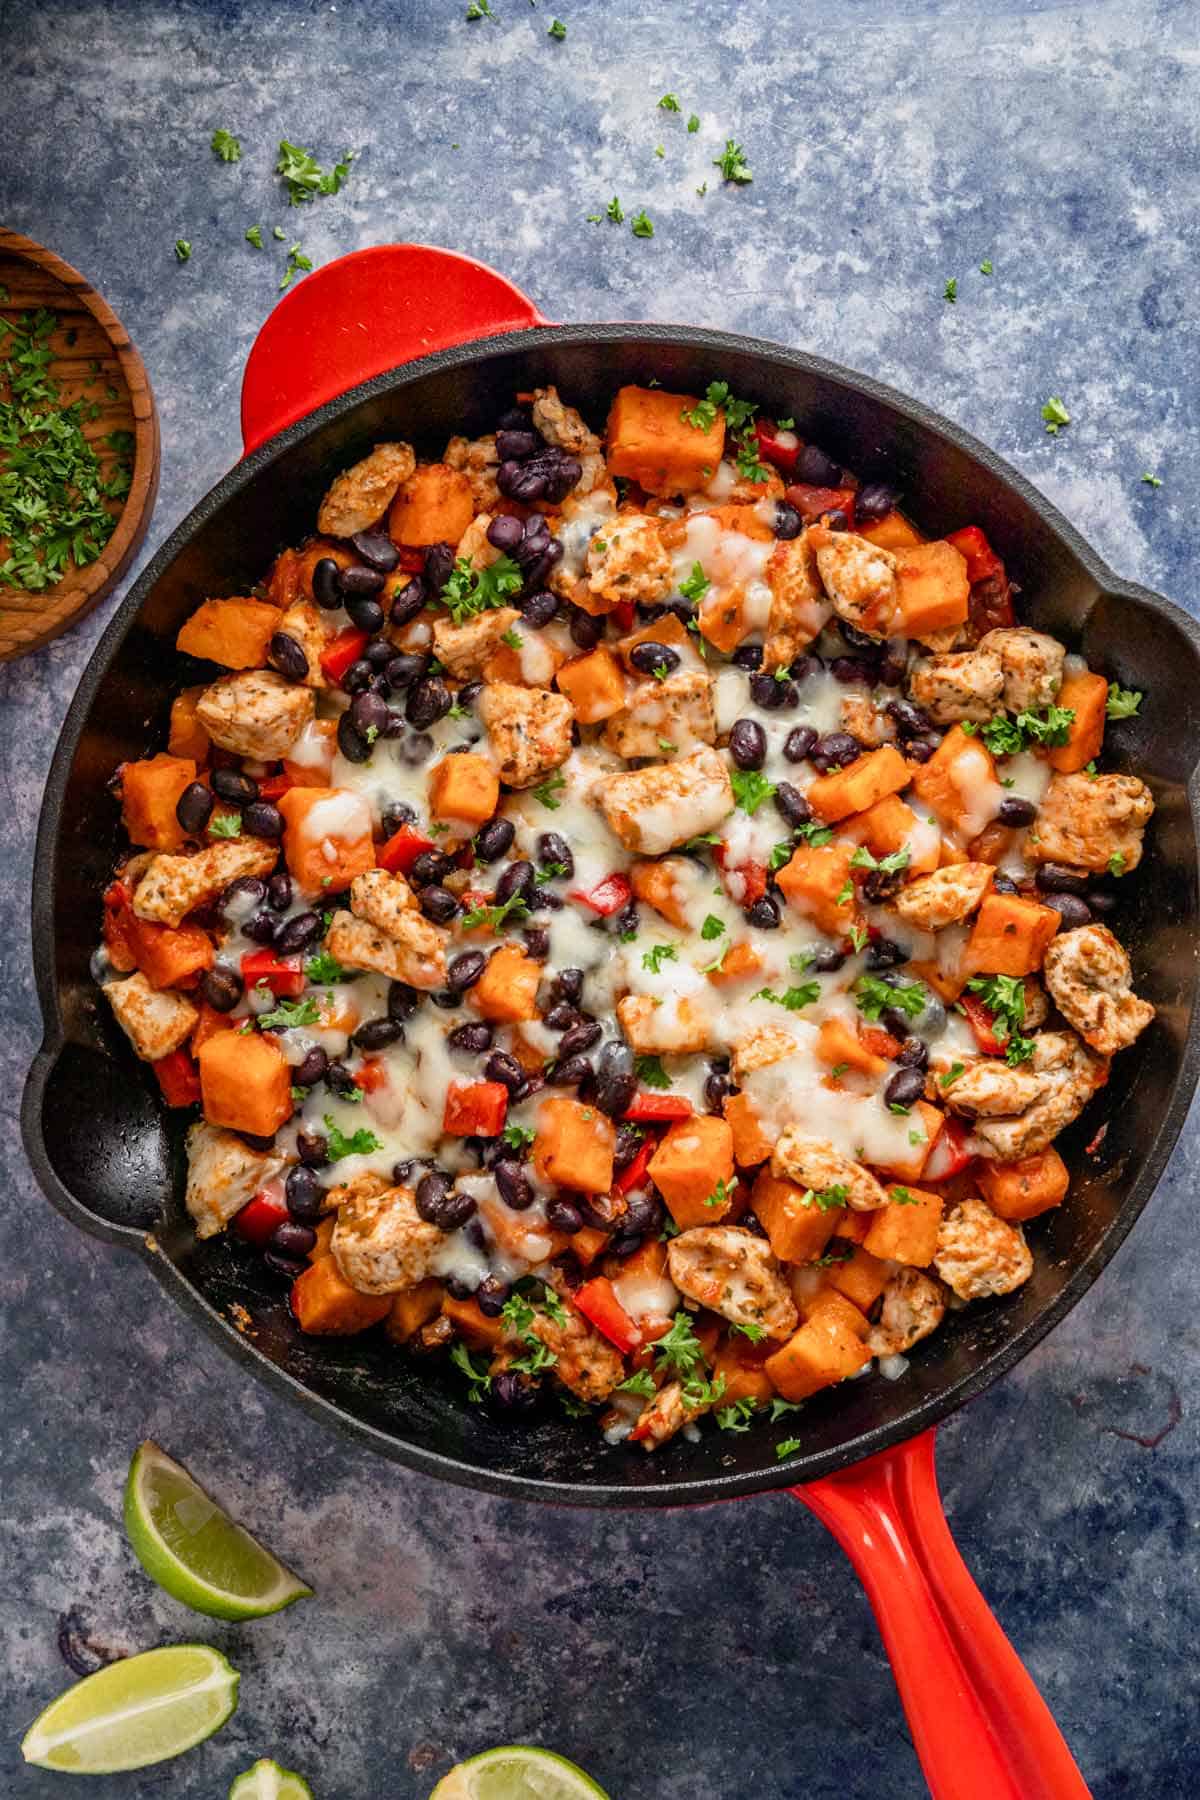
(465, 1473)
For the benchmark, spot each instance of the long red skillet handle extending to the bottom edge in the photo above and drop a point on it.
(978, 1722)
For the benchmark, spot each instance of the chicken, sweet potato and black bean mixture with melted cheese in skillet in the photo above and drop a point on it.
(632, 915)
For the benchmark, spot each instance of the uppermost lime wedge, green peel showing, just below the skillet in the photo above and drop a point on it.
(195, 1551)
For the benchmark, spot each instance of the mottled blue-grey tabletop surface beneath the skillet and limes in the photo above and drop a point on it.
(679, 1655)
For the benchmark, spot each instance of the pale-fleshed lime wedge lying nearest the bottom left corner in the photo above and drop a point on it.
(139, 1711)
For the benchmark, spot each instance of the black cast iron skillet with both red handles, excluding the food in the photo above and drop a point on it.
(112, 1162)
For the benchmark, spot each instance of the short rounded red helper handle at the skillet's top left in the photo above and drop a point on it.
(364, 314)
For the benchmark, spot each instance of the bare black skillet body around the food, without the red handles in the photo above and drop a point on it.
(111, 1158)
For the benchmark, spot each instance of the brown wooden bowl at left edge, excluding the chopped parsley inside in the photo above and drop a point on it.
(94, 361)
